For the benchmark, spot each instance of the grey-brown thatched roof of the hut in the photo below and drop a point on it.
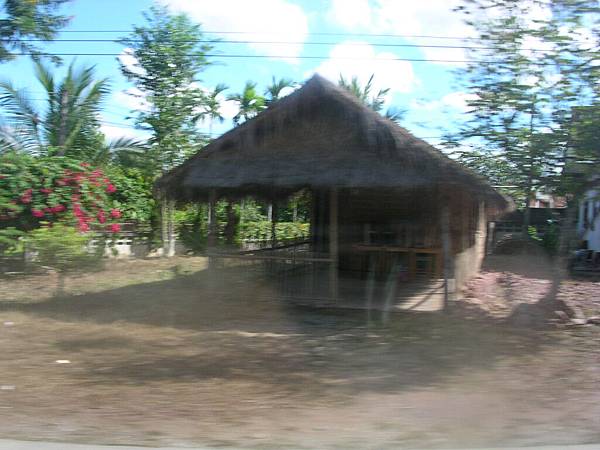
(320, 136)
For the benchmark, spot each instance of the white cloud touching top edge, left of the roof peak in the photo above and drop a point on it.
(266, 20)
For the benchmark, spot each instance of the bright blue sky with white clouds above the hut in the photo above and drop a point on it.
(342, 32)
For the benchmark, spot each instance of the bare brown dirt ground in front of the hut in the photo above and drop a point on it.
(160, 353)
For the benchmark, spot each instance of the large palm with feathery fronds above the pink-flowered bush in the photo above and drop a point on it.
(67, 126)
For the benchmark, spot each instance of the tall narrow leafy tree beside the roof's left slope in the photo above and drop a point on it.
(169, 56)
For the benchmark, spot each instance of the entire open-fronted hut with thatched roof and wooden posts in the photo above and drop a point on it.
(385, 204)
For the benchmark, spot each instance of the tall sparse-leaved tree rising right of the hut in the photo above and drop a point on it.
(523, 90)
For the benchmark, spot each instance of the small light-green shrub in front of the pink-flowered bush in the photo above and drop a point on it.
(62, 247)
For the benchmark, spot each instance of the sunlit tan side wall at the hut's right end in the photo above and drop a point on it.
(468, 261)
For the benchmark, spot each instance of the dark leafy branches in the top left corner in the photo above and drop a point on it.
(22, 20)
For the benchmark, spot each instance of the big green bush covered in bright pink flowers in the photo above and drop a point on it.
(55, 189)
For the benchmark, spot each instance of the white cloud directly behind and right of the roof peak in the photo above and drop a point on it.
(361, 60)
